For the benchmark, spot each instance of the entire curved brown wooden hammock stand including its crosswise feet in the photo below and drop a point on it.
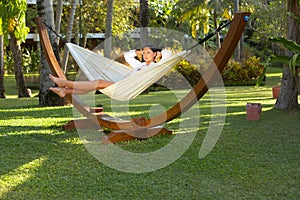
(137, 128)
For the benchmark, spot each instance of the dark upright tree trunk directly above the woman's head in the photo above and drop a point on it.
(144, 20)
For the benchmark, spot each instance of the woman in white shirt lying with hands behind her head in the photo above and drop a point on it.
(149, 54)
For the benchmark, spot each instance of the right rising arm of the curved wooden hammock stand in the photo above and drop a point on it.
(209, 77)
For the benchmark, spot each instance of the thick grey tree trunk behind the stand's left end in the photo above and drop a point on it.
(47, 98)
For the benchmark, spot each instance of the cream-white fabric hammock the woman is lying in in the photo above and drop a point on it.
(97, 67)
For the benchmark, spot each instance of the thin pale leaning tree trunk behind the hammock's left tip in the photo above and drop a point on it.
(69, 34)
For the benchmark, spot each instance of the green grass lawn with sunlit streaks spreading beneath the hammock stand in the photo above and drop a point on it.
(251, 159)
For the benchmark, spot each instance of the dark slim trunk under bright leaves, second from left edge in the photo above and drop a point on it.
(17, 57)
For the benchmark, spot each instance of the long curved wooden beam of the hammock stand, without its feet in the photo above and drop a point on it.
(225, 52)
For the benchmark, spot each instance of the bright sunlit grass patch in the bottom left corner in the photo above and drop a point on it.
(20, 175)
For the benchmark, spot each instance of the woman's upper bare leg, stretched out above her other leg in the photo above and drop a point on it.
(81, 85)
